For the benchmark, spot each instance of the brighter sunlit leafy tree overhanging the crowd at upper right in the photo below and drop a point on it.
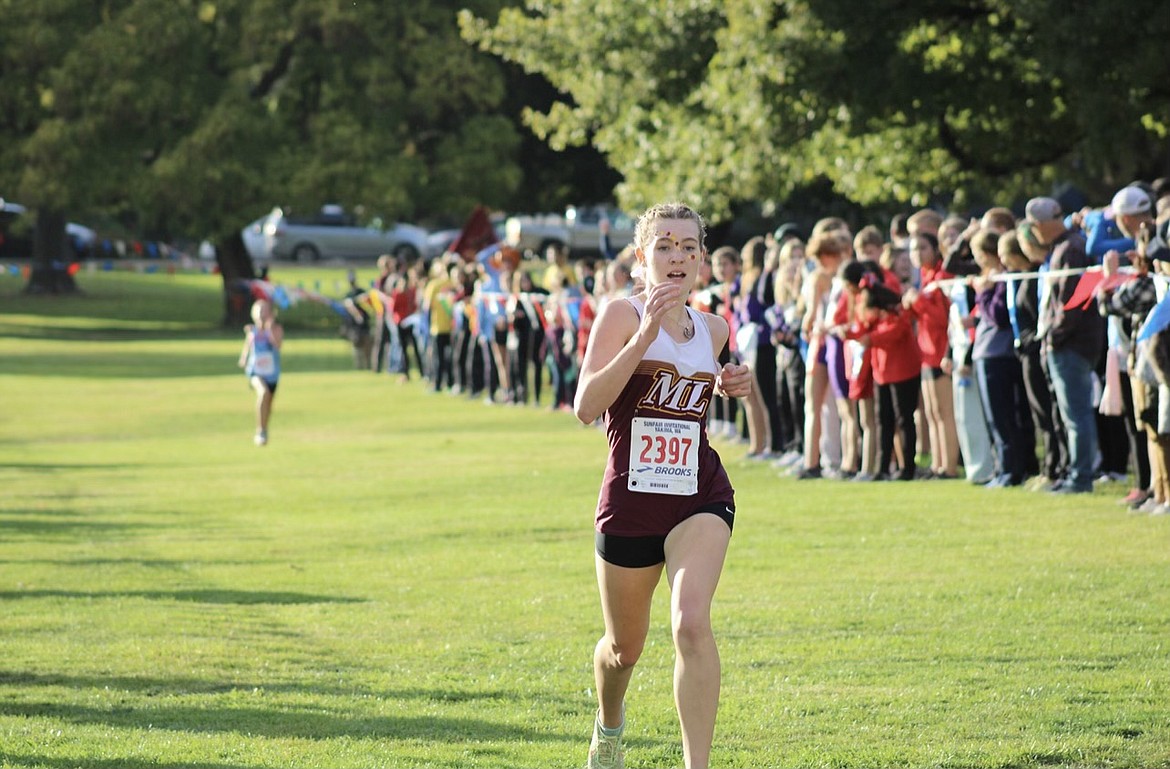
(891, 101)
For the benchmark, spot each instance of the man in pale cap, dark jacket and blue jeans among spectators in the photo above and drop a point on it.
(1073, 338)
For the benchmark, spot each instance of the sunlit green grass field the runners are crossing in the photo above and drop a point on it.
(407, 580)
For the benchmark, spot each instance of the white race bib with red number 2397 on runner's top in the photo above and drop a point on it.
(664, 457)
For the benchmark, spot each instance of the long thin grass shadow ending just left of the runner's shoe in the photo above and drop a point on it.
(287, 723)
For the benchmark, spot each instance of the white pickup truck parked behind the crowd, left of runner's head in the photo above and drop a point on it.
(579, 229)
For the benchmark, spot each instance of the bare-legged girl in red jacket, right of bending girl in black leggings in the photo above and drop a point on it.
(931, 308)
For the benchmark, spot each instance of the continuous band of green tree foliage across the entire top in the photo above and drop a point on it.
(194, 116)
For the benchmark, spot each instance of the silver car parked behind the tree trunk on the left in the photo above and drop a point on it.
(333, 234)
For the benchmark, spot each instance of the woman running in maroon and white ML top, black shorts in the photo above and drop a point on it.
(666, 503)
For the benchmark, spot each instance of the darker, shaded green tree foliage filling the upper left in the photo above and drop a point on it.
(196, 115)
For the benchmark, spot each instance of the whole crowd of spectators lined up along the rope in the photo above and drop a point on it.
(1007, 352)
